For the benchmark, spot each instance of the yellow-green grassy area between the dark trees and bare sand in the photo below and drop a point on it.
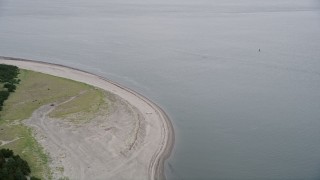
(37, 89)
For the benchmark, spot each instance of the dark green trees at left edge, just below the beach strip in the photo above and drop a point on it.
(8, 75)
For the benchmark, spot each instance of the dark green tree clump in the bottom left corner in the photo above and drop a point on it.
(13, 166)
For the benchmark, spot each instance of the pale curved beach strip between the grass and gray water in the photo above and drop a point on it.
(160, 131)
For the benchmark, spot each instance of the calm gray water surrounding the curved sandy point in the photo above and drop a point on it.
(238, 113)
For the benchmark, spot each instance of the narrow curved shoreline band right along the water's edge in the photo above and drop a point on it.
(156, 165)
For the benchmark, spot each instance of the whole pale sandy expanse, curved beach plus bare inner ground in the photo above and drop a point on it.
(143, 160)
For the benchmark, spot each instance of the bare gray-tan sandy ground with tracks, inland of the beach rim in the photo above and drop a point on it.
(99, 149)
